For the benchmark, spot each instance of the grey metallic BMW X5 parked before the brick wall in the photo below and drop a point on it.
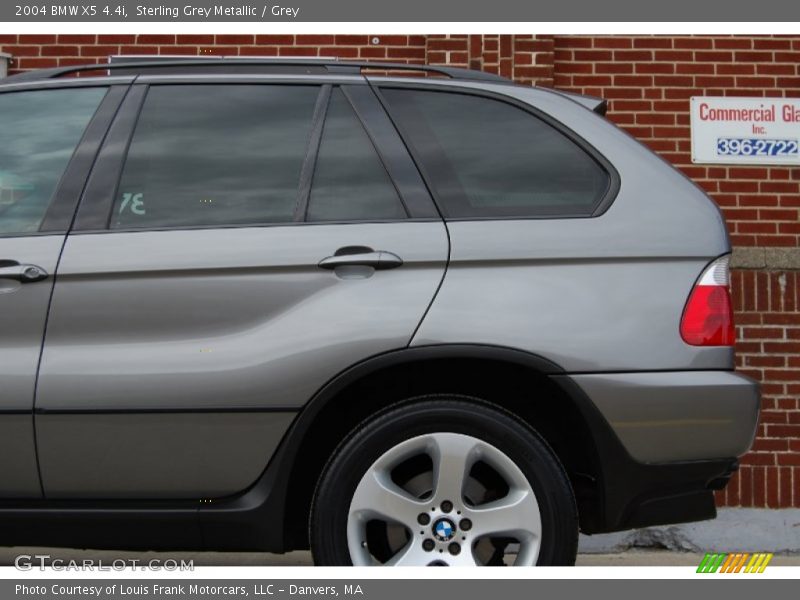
(253, 304)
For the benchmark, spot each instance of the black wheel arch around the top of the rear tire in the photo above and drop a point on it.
(516, 381)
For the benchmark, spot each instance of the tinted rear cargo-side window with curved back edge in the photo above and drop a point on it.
(487, 158)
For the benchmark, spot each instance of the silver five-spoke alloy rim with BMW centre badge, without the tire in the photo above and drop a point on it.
(446, 523)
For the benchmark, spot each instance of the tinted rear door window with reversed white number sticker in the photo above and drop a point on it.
(216, 155)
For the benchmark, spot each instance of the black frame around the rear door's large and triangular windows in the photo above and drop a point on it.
(97, 203)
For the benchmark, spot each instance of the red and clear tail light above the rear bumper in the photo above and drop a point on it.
(708, 316)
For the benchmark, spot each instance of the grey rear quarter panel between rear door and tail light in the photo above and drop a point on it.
(596, 294)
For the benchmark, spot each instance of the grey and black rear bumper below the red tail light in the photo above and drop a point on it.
(673, 487)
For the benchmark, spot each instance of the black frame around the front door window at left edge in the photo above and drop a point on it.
(60, 213)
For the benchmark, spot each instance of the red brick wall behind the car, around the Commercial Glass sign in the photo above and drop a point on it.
(648, 81)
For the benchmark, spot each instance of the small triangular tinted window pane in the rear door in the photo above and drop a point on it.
(350, 182)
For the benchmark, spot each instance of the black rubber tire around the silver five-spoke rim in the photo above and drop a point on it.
(453, 414)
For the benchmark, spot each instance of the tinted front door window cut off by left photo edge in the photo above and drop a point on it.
(39, 132)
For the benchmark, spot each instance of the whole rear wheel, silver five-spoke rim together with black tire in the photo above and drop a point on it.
(444, 483)
